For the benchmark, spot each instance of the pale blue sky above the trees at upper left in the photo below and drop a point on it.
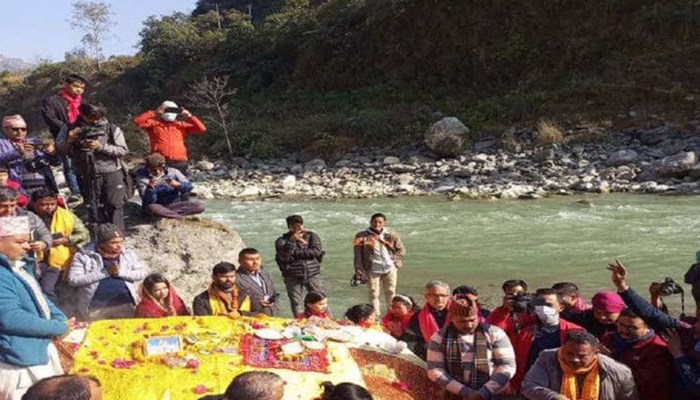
(35, 30)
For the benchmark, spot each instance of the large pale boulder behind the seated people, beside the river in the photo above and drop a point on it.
(185, 251)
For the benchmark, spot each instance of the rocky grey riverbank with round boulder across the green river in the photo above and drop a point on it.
(662, 159)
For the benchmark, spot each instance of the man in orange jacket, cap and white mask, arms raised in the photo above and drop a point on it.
(166, 135)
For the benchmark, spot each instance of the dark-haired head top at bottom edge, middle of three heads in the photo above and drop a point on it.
(253, 385)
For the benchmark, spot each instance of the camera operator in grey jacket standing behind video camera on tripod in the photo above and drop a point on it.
(97, 148)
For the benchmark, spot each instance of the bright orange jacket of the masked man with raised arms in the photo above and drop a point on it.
(168, 138)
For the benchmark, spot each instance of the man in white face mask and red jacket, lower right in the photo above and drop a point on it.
(546, 330)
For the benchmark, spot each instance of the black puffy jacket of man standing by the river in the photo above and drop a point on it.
(297, 260)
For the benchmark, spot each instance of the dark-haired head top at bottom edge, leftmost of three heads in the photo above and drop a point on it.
(62, 387)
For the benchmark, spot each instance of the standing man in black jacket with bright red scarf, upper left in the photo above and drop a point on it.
(60, 112)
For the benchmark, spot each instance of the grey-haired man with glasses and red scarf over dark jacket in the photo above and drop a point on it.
(430, 319)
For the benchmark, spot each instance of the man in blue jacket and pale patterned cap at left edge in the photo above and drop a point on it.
(28, 321)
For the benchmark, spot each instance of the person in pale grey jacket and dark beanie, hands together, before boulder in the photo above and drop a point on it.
(104, 273)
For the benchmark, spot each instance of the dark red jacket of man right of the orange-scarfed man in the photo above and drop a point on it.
(651, 365)
